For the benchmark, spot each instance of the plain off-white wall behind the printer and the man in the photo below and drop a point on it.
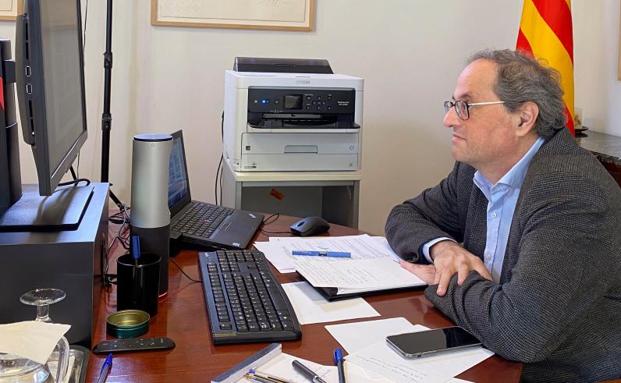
(408, 51)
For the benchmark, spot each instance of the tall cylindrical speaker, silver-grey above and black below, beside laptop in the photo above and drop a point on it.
(150, 216)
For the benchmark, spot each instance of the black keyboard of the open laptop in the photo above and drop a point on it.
(201, 219)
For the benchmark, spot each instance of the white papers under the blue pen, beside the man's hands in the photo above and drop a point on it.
(372, 266)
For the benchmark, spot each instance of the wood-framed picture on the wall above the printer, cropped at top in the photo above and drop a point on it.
(286, 15)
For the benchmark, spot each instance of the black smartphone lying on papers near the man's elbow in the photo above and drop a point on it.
(417, 344)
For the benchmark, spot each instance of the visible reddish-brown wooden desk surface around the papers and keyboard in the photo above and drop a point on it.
(182, 317)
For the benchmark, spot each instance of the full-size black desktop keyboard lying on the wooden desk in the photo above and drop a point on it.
(244, 300)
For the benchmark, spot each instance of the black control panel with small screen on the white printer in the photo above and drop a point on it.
(306, 100)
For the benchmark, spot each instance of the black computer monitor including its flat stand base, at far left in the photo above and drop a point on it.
(49, 82)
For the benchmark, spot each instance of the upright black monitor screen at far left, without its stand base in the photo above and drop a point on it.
(50, 86)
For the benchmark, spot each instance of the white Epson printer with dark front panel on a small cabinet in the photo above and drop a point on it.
(278, 120)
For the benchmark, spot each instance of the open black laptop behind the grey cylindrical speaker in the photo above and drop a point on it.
(199, 223)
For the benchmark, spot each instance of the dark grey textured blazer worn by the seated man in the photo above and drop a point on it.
(557, 307)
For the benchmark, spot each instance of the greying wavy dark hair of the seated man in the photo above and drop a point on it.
(521, 78)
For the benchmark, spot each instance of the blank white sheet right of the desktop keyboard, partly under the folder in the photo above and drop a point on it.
(311, 307)
